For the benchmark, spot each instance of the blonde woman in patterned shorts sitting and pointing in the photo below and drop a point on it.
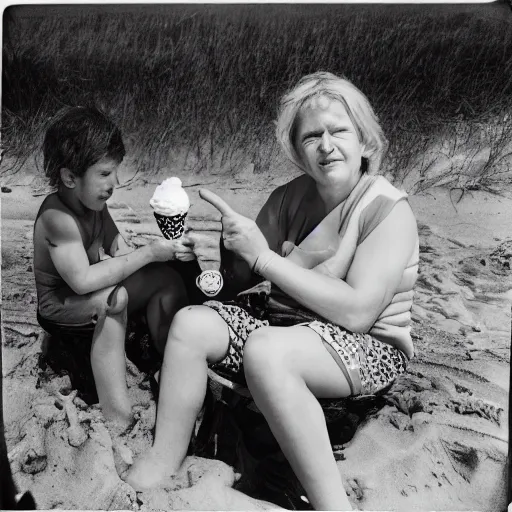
(338, 251)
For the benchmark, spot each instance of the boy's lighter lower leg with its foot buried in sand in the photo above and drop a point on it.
(108, 359)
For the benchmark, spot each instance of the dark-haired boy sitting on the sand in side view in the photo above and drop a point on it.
(86, 275)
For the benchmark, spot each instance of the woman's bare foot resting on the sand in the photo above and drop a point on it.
(150, 472)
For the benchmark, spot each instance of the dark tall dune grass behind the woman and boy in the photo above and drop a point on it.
(200, 83)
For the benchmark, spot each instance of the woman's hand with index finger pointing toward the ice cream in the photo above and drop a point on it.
(240, 234)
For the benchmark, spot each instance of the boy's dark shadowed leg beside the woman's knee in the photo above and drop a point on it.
(158, 290)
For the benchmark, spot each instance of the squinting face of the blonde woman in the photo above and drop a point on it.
(328, 144)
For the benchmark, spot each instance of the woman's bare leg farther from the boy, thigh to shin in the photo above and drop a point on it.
(286, 368)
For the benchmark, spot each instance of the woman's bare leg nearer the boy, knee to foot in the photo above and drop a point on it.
(197, 336)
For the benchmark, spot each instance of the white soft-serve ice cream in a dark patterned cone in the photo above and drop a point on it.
(170, 204)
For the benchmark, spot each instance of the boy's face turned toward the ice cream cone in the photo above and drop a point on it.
(94, 188)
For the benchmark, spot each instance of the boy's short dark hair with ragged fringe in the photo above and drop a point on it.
(77, 138)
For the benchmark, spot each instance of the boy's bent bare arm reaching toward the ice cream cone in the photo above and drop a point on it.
(68, 254)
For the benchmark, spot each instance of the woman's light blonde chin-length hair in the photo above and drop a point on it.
(324, 84)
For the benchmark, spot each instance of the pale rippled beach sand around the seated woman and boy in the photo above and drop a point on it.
(439, 443)
